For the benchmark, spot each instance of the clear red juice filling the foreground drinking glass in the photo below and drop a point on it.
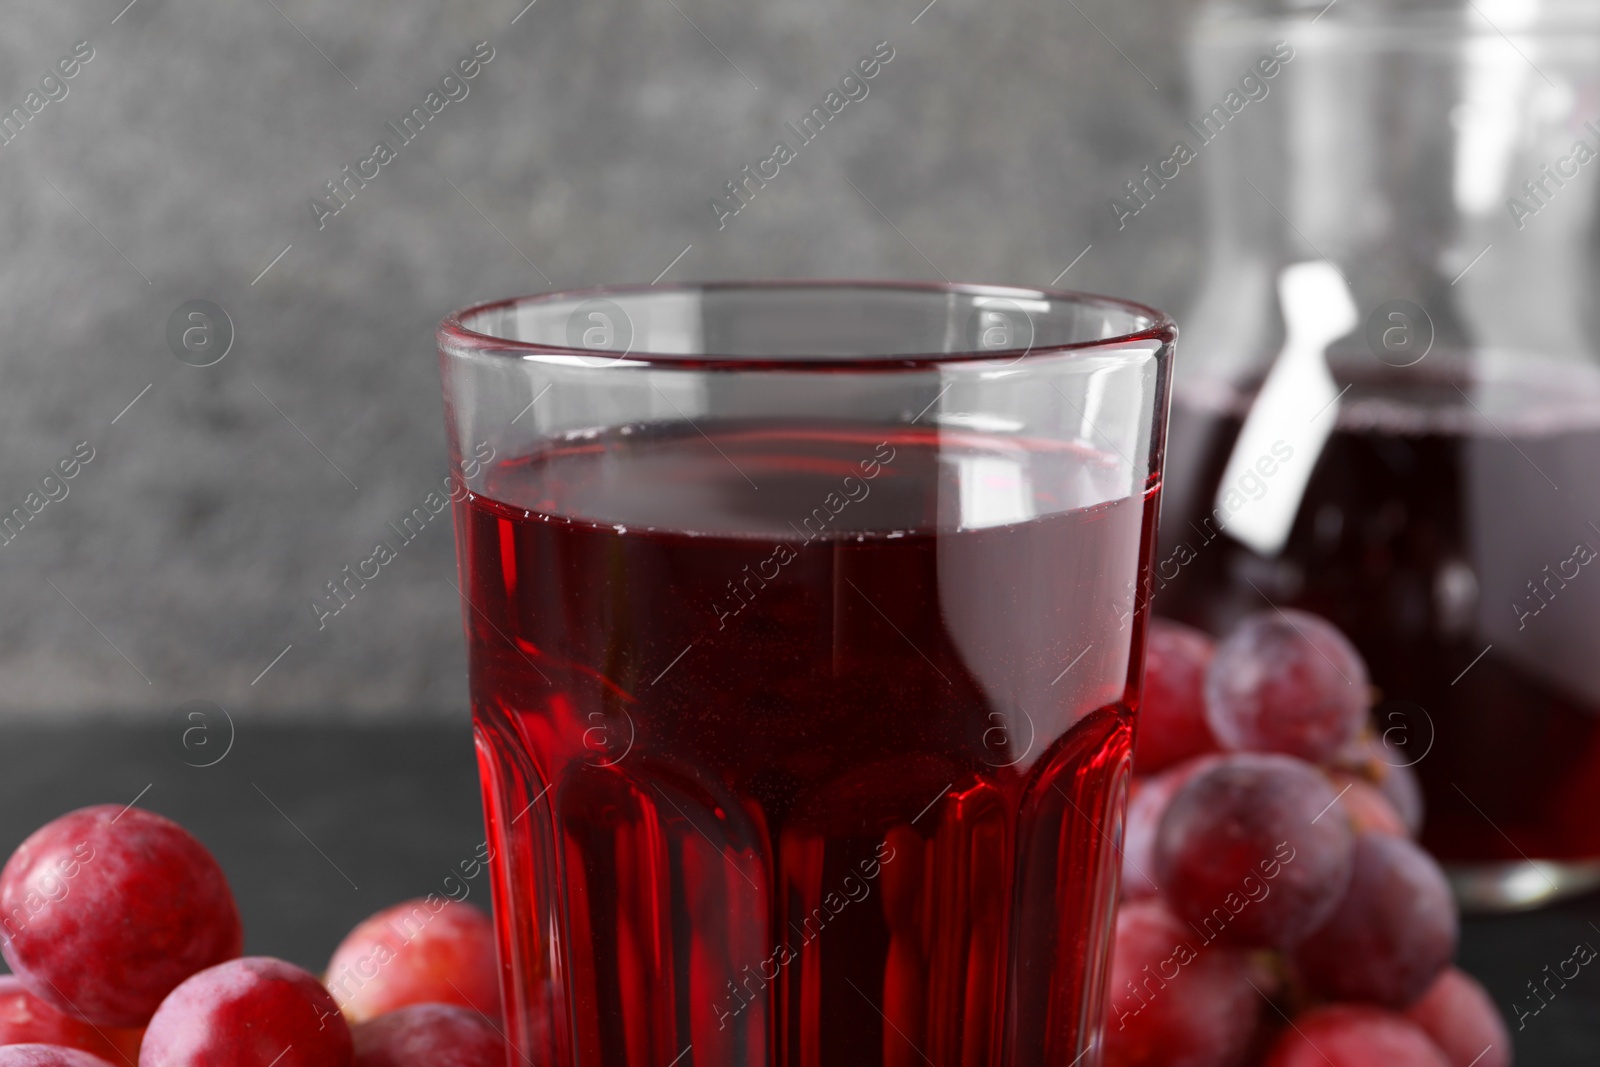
(806, 746)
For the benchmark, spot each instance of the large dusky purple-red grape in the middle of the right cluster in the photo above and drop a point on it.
(1252, 850)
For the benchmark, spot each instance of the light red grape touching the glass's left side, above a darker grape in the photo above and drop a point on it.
(425, 951)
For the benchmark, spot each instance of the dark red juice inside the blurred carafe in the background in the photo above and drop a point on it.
(1449, 527)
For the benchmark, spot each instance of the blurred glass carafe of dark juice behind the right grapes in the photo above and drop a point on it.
(1390, 402)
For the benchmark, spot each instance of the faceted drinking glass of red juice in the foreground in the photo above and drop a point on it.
(806, 629)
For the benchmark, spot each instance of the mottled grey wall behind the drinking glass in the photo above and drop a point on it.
(593, 142)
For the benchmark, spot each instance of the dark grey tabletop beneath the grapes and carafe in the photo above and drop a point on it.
(321, 826)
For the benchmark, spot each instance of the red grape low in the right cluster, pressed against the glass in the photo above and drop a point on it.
(1174, 1001)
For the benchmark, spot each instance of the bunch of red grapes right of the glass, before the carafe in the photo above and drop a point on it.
(1276, 909)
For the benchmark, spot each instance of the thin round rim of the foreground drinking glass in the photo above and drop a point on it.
(454, 332)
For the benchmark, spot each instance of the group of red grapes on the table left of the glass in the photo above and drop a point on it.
(126, 948)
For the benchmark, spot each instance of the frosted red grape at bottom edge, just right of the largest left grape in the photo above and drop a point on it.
(247, 1013)
